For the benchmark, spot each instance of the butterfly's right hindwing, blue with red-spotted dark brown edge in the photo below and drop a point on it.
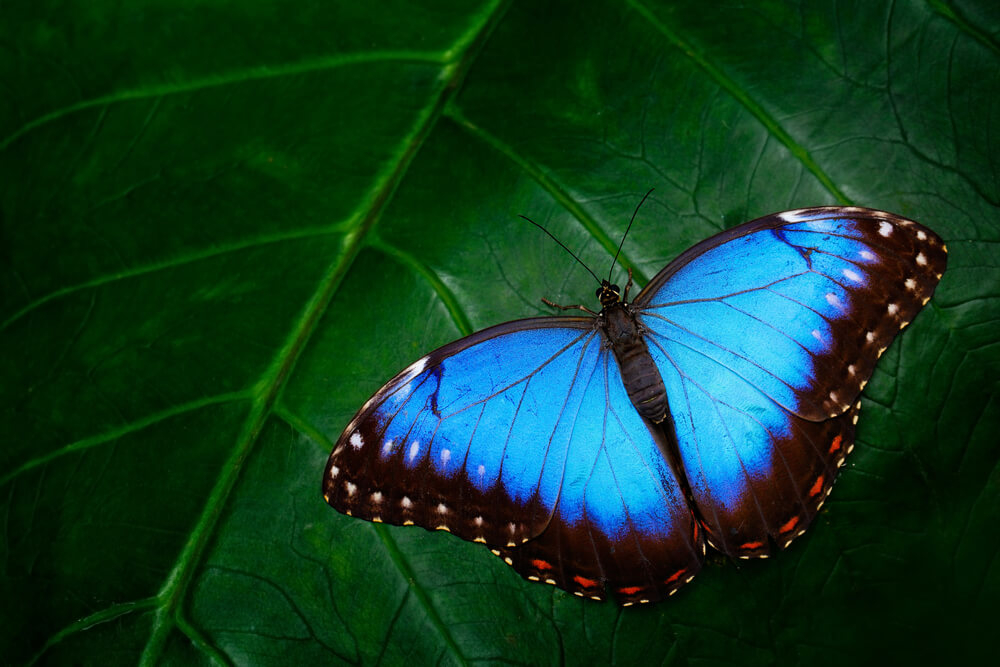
(758, 473)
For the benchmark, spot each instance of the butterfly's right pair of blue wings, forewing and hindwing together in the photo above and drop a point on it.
(765, 336)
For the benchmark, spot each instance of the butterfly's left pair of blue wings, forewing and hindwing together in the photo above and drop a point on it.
(522, 437)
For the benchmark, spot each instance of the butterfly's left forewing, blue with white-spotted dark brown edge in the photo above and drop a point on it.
(443, 444)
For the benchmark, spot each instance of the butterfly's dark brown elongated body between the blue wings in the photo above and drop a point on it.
(639, 374)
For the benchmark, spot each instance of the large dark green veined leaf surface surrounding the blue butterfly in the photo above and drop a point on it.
(224, 224)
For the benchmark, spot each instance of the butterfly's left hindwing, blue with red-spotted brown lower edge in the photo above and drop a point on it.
(622, 518)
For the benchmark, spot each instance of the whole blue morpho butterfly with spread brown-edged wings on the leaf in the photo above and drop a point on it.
(602, 453)
